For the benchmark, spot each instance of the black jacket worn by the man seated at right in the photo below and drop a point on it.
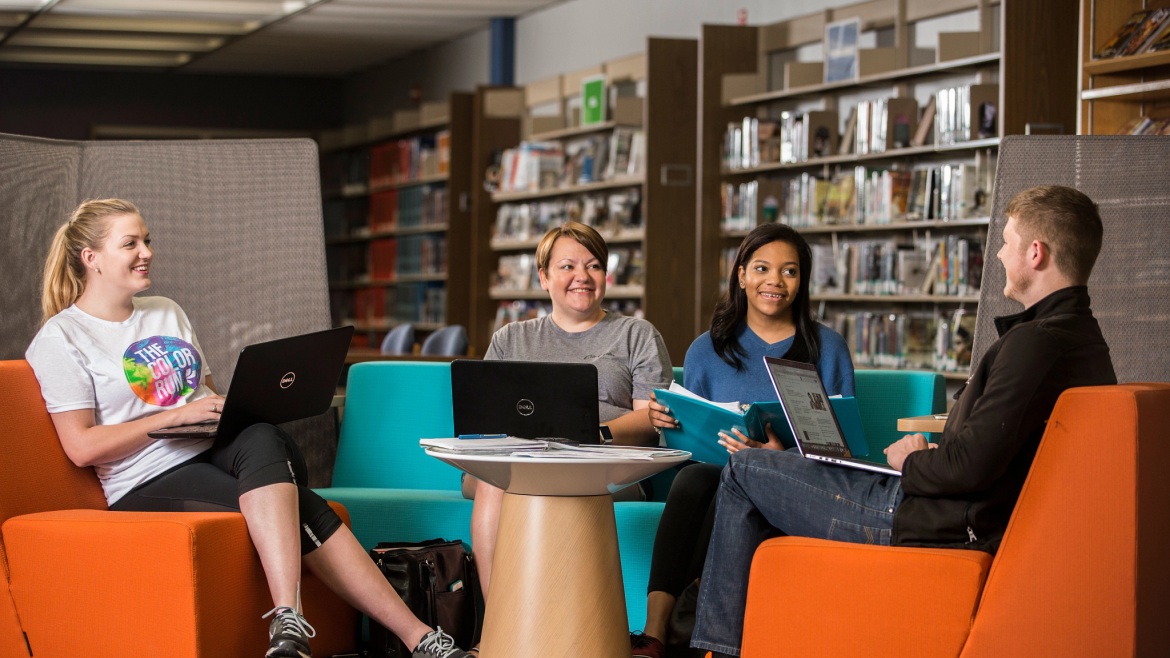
(962, 495)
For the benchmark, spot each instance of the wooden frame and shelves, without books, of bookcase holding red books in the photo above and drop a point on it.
(456, 227)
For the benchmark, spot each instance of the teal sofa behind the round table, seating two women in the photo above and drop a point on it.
(394, 492)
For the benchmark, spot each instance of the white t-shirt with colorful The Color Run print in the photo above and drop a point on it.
(125, 372)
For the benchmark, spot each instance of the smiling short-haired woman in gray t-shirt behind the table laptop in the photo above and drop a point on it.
(630, 355)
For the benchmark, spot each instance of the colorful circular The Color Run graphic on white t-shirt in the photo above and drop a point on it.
(162, 369)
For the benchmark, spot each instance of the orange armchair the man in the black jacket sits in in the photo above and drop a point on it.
(1084, 568)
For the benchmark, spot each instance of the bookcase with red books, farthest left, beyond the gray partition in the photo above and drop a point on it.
(397, 231)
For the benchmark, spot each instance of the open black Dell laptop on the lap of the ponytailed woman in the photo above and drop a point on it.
(277, 382)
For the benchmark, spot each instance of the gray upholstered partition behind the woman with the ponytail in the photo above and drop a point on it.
(238, 239)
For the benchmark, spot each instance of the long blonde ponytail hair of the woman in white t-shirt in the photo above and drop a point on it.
(65, 273)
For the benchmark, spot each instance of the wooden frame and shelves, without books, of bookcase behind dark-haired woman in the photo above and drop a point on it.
(1031, 65)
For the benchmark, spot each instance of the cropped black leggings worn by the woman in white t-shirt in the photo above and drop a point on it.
(215, 481)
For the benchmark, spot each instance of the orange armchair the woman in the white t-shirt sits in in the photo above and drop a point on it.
(81, 580)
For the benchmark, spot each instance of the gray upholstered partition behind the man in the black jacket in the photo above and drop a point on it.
(1130, 180)
